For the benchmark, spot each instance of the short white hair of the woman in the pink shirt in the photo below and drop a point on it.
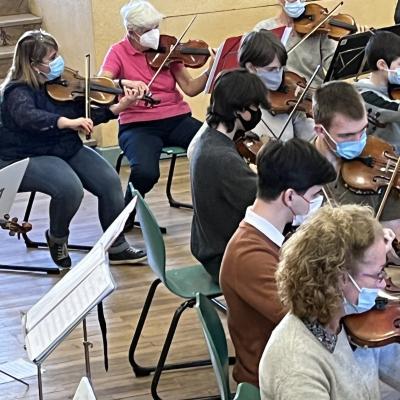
(140, 14)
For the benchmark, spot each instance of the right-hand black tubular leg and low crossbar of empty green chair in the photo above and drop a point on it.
(167, 344)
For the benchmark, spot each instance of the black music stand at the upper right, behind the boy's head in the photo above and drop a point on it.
(349, 58)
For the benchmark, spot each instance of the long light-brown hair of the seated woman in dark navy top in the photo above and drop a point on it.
(30, 49)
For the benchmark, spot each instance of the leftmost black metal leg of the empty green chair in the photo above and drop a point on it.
(138, 369)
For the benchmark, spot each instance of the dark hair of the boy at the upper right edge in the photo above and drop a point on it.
(382, 45)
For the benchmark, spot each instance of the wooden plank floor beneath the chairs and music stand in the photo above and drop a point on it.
(65, 366)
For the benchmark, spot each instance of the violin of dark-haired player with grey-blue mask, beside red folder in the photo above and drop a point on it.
(284, 99)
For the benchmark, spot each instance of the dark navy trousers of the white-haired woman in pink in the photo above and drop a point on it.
(142, 143)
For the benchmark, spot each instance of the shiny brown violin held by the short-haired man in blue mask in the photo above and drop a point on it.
(372, 169)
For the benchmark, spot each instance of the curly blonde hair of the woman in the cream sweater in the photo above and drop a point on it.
(315, 258)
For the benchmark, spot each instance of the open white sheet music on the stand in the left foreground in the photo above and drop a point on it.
(67, 302)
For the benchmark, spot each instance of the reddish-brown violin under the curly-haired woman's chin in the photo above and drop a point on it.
(377, 327)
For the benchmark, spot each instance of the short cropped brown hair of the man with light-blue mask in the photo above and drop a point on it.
(337, 97)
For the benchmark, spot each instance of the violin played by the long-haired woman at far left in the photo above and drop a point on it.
(71, 86)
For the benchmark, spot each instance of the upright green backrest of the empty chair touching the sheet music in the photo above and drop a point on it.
(153, 239)
